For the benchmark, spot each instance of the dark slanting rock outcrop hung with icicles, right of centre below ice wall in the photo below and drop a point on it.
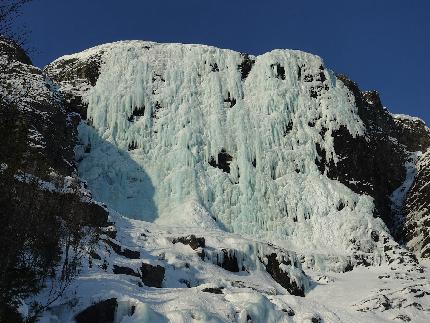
(281, 277)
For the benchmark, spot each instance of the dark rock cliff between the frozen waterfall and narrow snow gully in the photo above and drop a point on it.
(385, 151)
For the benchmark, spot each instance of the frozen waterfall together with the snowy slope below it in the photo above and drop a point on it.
(222, 152)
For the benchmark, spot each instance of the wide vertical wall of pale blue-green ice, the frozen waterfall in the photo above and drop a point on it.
(236, 134)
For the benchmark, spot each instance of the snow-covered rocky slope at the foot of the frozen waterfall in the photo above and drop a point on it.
(196, 289)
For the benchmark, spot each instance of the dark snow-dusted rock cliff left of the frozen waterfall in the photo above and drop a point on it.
(35, 126)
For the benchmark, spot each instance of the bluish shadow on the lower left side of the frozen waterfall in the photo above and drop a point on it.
(114, 178)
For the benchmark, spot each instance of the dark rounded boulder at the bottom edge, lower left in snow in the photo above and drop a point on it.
(102, 312)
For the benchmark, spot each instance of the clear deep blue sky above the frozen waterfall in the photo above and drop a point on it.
(382, 45)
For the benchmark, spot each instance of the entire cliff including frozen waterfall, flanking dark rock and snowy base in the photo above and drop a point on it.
(243, 180)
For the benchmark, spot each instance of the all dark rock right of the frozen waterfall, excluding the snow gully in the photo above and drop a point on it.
(384, 150)
